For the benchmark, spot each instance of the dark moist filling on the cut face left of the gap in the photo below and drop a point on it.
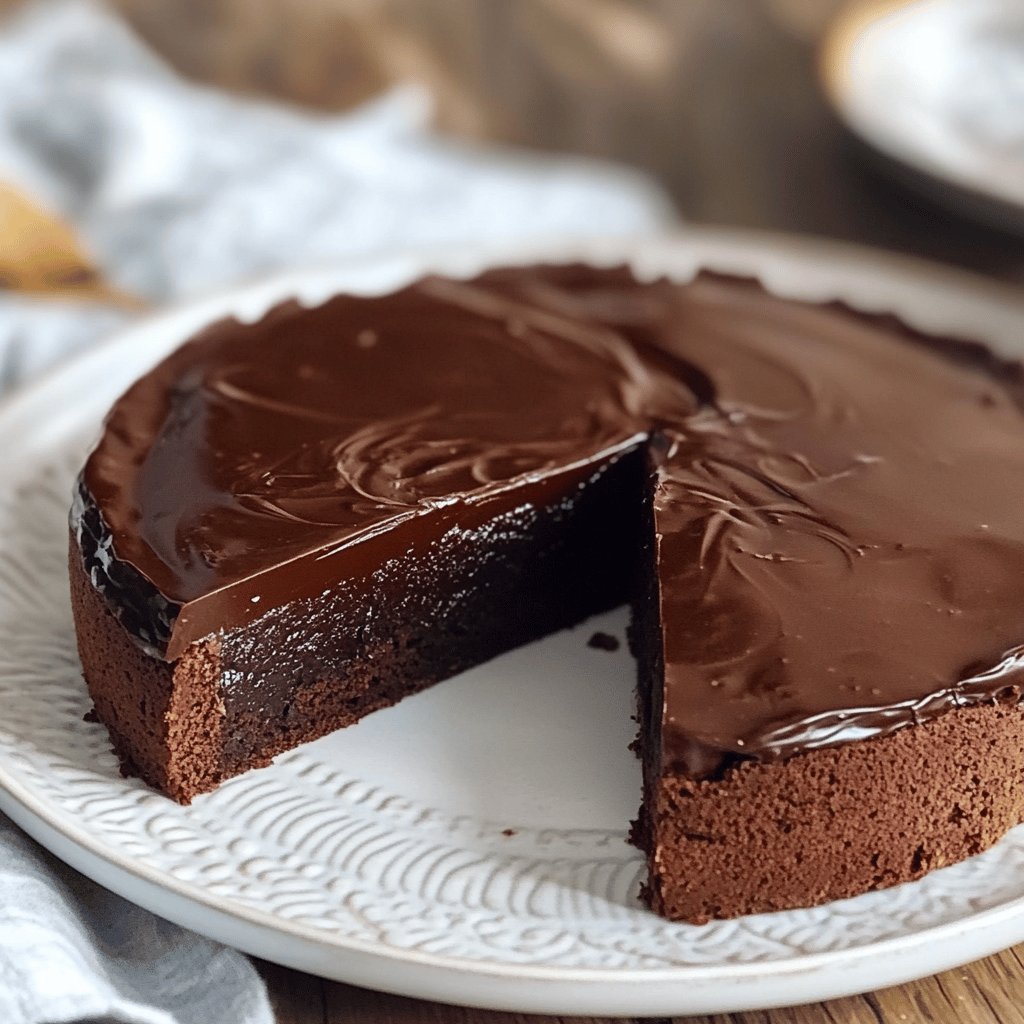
(478, 591)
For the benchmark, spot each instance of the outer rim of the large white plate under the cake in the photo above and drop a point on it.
(722, 249)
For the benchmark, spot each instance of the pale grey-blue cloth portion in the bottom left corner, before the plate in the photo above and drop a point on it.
(72, 952)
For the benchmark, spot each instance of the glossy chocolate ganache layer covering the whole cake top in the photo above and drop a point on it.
(839, 544)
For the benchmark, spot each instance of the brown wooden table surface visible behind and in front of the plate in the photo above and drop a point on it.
(719, 102)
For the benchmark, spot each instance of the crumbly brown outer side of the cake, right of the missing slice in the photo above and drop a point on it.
(836, 823)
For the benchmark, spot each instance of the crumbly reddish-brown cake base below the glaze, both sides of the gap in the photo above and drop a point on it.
(821, 827)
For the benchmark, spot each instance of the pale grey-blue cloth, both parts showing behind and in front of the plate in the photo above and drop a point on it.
(177, 190)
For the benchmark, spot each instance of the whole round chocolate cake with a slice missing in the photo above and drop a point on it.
(815, 513)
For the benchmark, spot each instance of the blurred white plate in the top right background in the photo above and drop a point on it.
(936, 88)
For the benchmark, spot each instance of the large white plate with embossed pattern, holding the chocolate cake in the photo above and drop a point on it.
(467, 846)
